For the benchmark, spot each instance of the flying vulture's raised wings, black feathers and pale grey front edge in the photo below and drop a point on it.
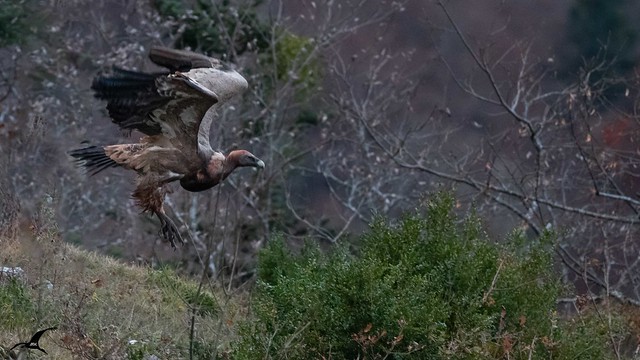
(170, 105)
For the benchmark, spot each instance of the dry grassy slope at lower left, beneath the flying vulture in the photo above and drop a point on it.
(100, 304)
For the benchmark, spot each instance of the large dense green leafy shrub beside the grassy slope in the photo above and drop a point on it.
(427, 287)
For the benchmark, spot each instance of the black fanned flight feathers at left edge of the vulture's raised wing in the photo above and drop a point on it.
(131, 96)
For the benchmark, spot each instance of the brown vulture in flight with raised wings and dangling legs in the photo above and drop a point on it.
(174, 110)
